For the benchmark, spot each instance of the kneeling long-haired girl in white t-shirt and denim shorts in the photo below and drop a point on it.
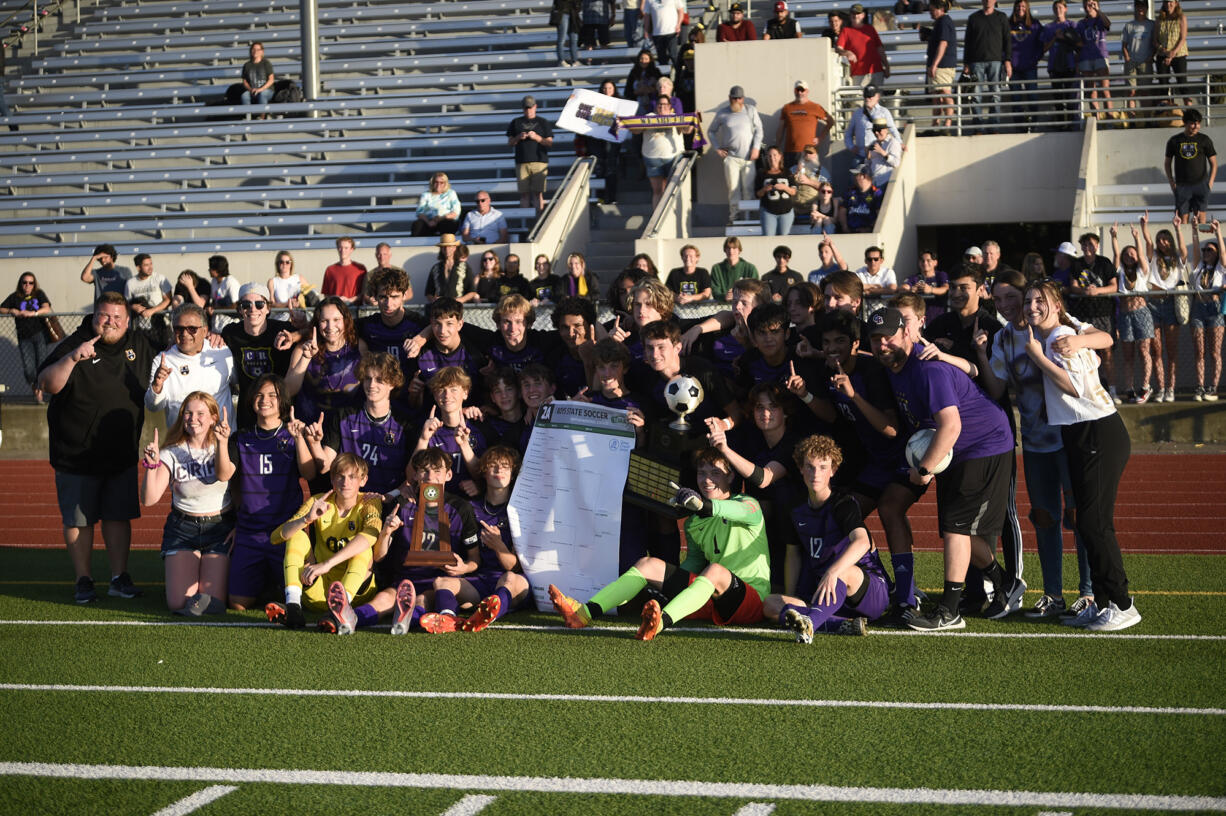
(197, 538)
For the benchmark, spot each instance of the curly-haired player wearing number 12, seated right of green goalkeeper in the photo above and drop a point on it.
(836, 565)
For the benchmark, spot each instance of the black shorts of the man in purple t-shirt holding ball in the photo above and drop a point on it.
(973, 497)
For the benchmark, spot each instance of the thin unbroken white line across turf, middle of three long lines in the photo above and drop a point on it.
(617, 699)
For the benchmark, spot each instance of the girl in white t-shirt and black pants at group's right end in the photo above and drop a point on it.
(1098, 448)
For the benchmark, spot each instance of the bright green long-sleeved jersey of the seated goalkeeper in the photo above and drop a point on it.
(735, 537)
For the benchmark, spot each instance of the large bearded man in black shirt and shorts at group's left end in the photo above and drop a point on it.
(97, 380)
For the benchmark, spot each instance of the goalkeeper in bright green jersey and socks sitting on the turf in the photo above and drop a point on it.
(723, 580)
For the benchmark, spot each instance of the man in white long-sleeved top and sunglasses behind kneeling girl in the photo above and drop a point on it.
(192, 365)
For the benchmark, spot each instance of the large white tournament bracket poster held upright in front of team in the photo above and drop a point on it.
(566, 510)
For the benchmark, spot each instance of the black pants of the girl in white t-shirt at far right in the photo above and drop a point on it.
(1098, 453)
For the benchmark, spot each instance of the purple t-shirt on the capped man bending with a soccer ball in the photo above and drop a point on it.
(925, 388)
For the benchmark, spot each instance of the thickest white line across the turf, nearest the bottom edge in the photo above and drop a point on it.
(626, 787)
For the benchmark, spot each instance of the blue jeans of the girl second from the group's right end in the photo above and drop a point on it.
(1048, 483)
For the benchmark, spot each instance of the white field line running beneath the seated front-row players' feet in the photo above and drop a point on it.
(630, 628)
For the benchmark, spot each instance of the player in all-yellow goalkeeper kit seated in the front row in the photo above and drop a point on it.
(335, 530)
